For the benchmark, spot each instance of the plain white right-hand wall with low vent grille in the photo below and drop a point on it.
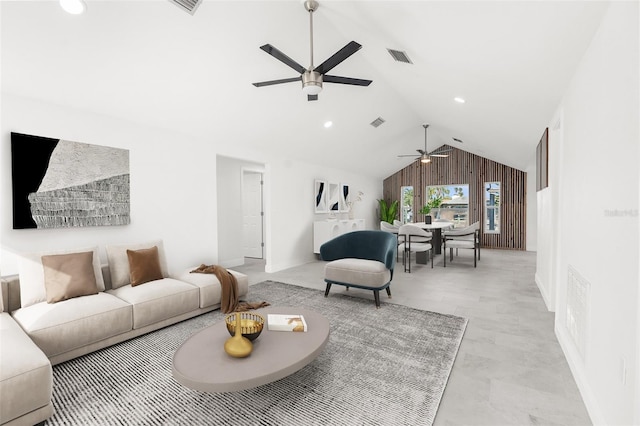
(596, 178)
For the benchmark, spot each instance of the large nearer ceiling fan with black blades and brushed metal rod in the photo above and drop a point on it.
(312, 78)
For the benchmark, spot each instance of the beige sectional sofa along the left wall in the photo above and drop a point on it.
(36, 334)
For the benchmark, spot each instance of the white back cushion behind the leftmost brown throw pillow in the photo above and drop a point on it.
(31, 271)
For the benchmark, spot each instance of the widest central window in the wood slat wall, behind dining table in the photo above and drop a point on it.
(450, 203)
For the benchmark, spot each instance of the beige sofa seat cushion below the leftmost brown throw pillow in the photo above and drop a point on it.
(60, 327)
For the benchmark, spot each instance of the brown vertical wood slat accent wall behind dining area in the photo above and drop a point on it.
(462, 167)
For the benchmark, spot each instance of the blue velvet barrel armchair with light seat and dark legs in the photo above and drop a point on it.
(361, 259)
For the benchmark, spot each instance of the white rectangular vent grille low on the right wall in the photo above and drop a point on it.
(578, 294)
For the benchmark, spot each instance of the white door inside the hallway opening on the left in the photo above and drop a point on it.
(252, 214)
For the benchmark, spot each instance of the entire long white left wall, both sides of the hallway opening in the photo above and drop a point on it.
(174, 191)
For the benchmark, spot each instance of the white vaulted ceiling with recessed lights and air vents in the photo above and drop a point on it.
(150, 62)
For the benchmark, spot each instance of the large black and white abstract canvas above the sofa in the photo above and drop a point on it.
(62, 184)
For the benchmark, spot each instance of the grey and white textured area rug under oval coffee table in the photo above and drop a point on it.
(386, 366)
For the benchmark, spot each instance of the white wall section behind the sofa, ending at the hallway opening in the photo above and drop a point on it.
(167, 186)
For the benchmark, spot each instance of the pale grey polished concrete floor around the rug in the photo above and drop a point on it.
(510, 369)
